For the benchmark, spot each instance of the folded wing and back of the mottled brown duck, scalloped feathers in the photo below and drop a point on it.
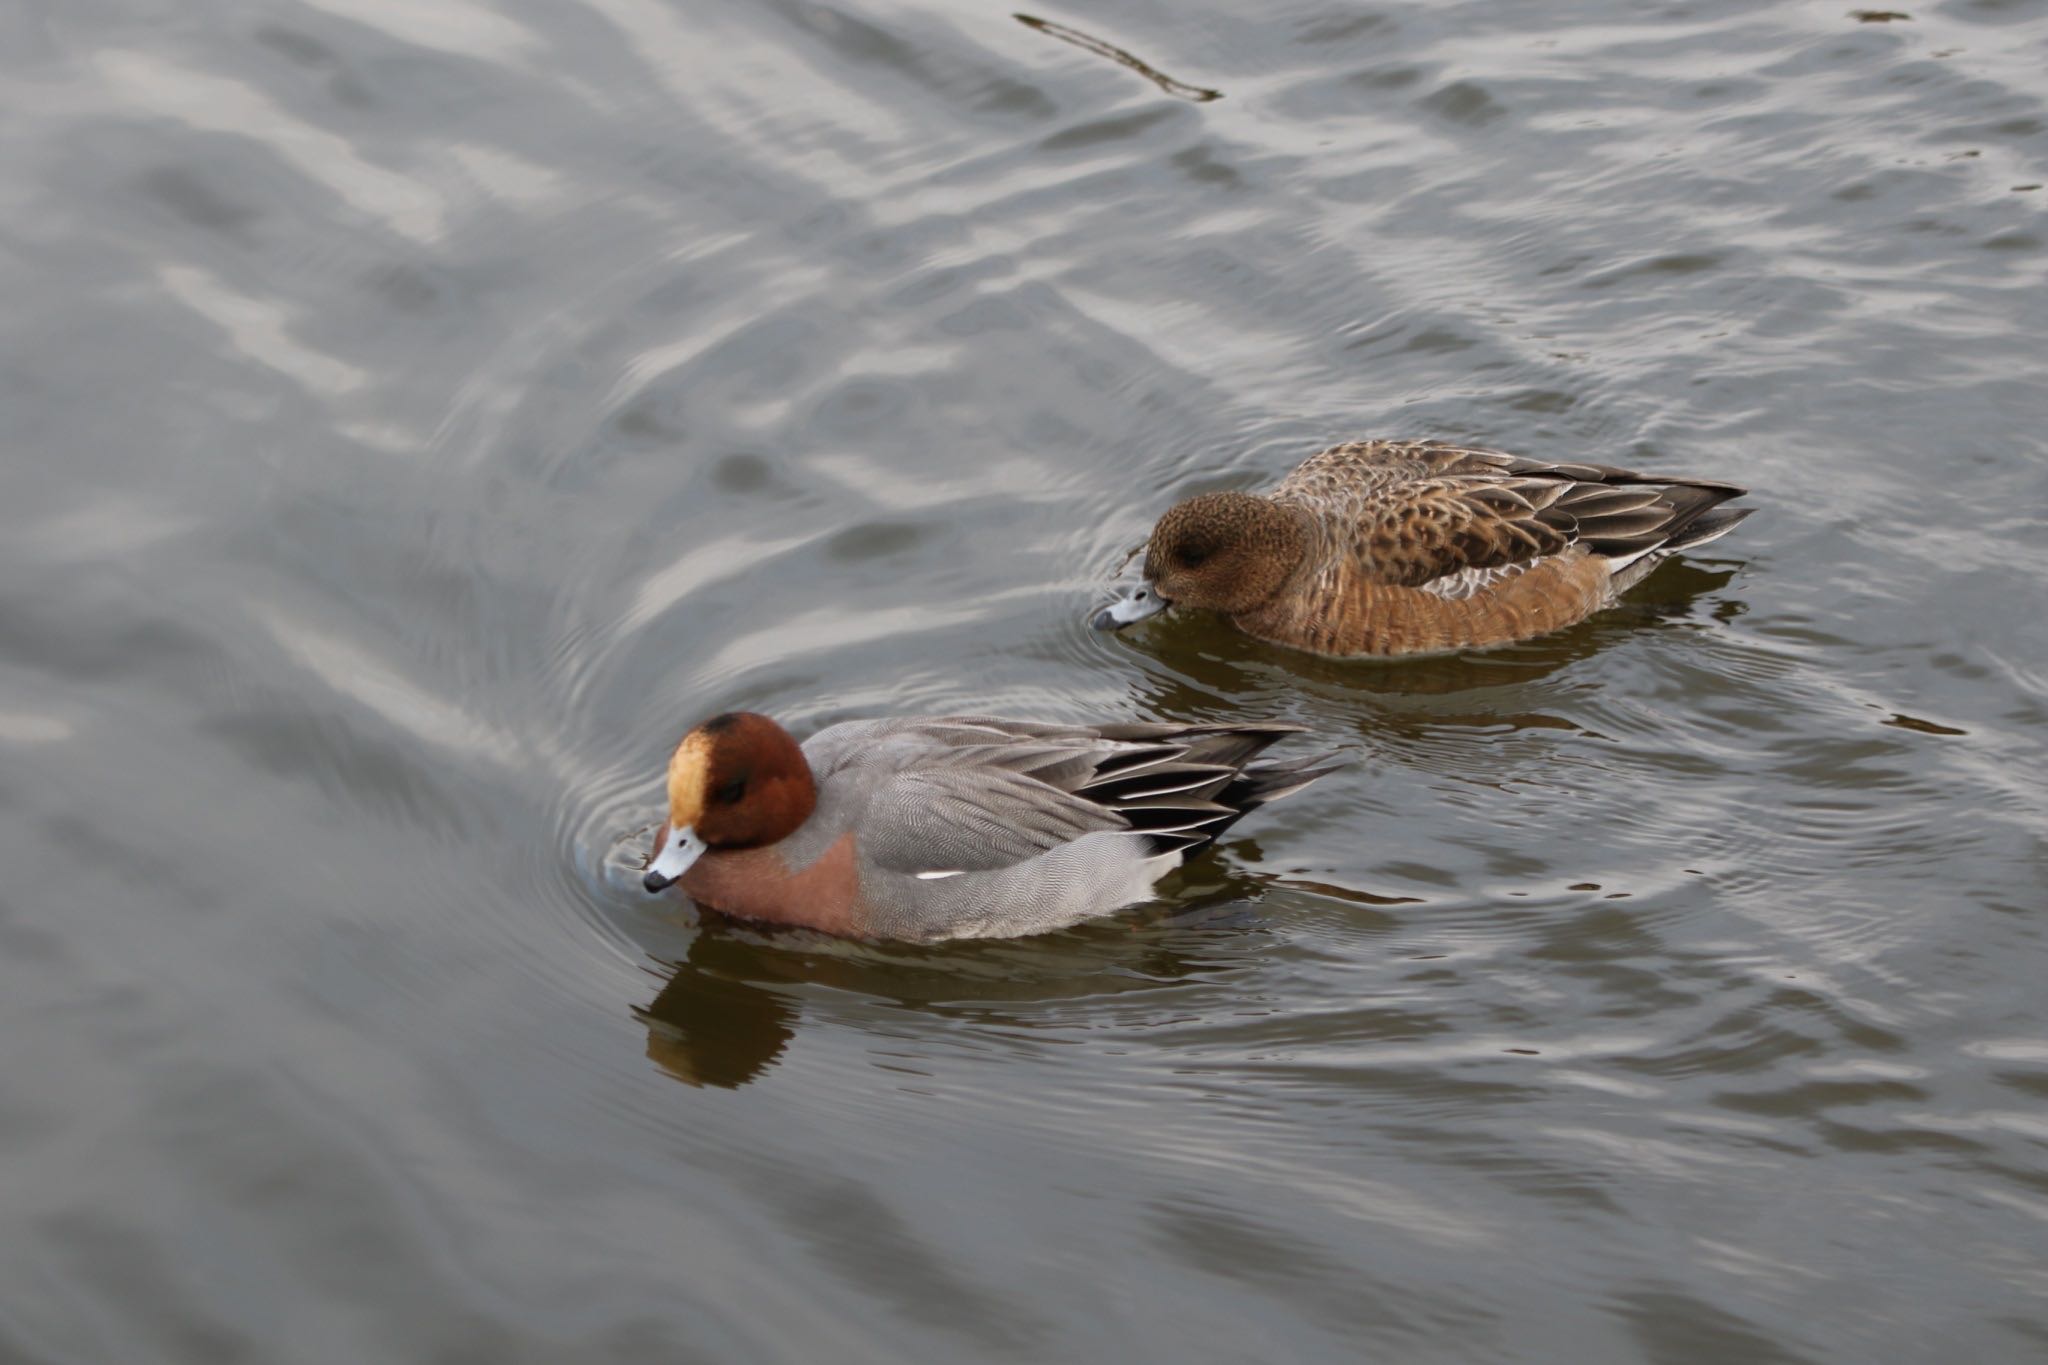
(1457, 521)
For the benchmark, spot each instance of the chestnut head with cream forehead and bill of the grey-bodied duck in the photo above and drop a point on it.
(734, 783)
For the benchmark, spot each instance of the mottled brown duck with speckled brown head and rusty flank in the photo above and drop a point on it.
(1420, 547)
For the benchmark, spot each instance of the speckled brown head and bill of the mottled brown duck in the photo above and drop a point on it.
(1220, 552)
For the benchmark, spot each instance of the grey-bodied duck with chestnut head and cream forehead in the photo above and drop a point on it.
(951, 828)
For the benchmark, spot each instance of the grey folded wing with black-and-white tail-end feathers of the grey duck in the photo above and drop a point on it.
(994, 793)
